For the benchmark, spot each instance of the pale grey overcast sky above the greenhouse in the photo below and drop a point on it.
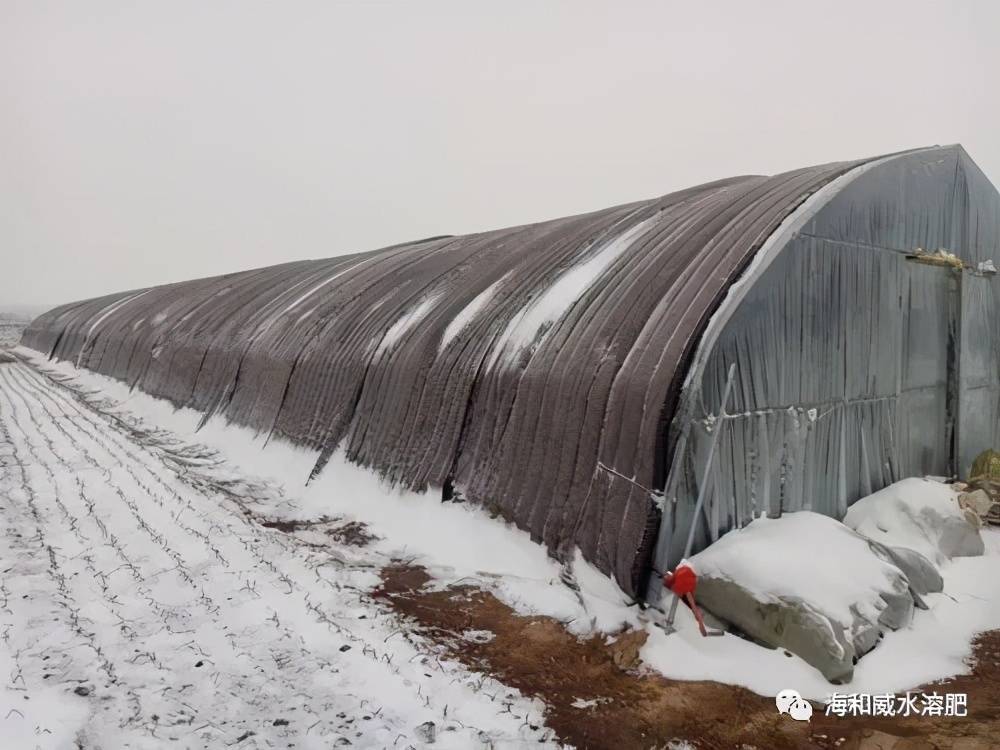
(142, 143)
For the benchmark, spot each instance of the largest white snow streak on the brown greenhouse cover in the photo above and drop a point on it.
(537, 317)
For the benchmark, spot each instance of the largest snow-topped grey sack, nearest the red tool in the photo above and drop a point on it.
(806, 583)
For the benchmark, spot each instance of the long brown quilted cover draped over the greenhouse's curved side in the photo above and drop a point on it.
(505, 365)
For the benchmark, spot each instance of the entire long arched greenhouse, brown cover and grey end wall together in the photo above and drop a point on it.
(505, 365)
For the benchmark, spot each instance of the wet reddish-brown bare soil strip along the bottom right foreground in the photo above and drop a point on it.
(598, 697)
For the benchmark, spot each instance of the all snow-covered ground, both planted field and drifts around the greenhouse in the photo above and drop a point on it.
(271, 612)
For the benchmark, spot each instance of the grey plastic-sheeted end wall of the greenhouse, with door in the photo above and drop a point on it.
(857, 363)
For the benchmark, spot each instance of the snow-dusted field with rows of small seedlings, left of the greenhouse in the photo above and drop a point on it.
(140, 595)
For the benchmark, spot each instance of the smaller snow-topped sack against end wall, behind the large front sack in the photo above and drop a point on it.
(920, 514)
